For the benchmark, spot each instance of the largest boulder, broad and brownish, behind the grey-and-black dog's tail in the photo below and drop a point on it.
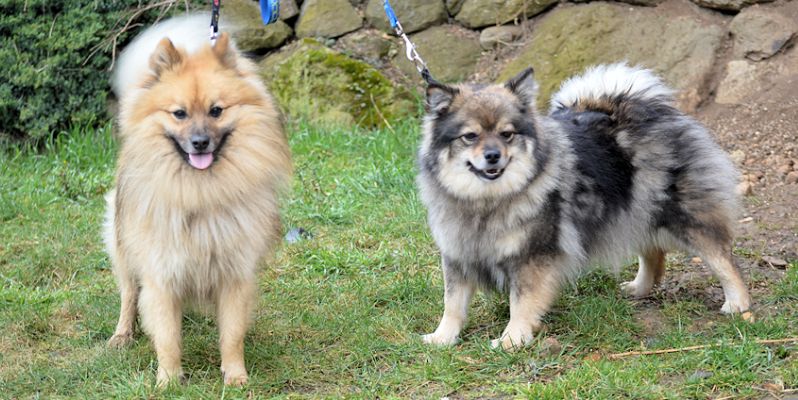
(682, 47)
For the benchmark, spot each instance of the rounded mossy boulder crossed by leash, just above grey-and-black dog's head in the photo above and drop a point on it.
(451, 53)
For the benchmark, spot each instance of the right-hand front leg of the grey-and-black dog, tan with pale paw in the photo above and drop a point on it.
(532, 292)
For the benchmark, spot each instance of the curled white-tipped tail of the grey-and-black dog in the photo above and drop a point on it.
(625, 93)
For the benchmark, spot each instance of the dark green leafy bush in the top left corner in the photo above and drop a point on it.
(55, 56)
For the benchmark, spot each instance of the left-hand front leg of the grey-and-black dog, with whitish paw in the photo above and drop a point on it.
(456, 298)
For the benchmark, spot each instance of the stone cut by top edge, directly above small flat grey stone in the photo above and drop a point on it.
(480, 13)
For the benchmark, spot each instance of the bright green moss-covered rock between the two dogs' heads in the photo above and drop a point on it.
(312, 81)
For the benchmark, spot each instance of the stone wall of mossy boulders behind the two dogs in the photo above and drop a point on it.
(338, 60)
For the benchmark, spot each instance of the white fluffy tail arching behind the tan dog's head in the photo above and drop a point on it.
(188, 32)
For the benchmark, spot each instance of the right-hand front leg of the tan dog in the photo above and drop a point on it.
(234, 306)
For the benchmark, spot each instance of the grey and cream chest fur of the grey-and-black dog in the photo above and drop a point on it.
(489, 241)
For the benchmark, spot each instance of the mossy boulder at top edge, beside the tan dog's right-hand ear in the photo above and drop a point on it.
(248, 30)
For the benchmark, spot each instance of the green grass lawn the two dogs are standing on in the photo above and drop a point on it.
(340, 314)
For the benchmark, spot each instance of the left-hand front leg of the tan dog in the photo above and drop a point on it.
(161, 318)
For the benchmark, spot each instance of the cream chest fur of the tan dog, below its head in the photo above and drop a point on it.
(190, 251)
